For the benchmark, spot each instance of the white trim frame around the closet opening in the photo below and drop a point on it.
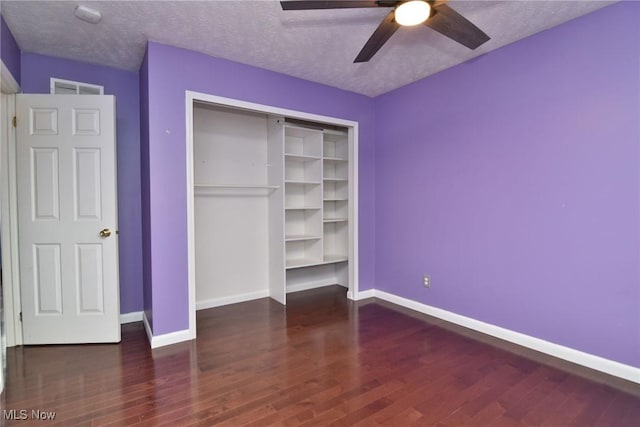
(190, 98)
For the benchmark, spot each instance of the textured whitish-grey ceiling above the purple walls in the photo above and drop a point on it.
(315, 45)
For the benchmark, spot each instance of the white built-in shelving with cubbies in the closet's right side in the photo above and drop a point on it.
(316, 197)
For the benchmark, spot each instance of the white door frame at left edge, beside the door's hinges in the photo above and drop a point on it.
(9, 203)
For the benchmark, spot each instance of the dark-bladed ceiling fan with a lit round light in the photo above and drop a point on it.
(434, 14)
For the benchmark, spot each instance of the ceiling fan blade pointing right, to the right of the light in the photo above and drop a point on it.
(450, 23)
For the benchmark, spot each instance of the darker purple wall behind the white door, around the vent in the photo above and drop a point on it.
(36, 71)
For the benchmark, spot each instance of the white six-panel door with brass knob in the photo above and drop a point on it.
(67, 222)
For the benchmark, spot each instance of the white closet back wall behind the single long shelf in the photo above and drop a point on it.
(231, 205)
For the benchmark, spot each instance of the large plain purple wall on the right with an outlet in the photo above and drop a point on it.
(514, 180)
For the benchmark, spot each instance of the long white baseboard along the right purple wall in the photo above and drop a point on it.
(598, 363)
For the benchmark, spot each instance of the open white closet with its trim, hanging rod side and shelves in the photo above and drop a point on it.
(272, 202)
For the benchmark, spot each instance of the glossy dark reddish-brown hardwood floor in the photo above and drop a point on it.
(323, 360)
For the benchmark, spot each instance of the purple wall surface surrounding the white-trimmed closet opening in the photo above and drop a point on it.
(171, 71)
